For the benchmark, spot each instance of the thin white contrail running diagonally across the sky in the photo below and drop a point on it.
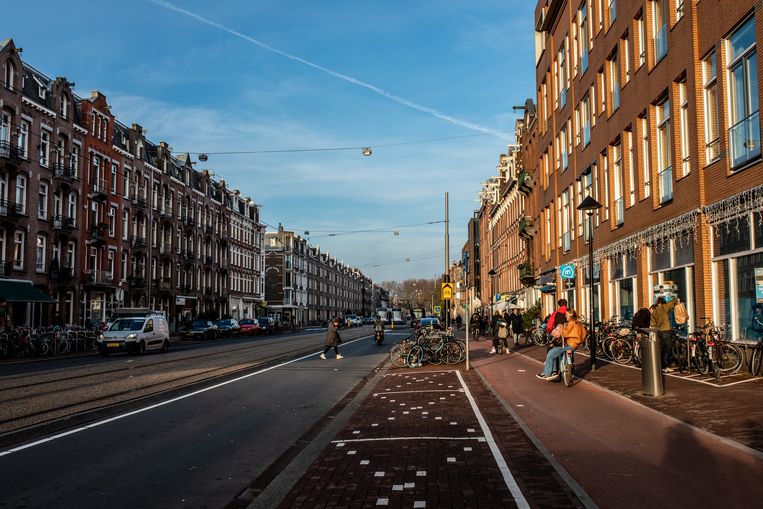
(380, 91)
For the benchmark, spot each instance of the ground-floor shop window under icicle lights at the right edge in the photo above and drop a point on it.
(734, 275)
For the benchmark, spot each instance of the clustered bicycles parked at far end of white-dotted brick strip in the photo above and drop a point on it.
(428, 346)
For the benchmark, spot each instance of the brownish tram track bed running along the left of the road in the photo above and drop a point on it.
(34, 415)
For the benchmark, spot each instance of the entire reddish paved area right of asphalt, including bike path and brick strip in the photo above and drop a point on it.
(495, 436)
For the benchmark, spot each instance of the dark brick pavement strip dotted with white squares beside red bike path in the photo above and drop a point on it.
(417, 442)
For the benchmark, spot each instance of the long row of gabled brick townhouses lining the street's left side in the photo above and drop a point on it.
(95, 216)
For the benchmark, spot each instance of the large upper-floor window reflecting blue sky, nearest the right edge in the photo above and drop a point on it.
(744, 133)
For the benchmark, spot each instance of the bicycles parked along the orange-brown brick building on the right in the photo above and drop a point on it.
(708, 350)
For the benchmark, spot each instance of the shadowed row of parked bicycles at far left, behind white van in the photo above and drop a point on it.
(30, 342)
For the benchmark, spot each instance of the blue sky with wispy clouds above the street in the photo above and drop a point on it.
(255, 75)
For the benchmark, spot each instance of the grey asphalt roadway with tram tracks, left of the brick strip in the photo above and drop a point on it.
(192, 446)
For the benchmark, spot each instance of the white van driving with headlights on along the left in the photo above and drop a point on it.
(135, 334)
